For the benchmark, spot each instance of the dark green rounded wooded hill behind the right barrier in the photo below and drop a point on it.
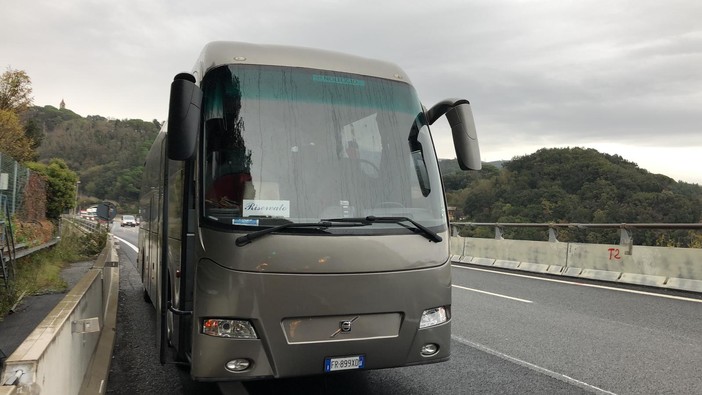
(574, 185)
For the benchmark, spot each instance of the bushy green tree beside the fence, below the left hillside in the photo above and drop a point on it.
(60, 186)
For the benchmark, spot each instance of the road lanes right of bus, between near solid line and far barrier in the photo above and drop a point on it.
(622, 340)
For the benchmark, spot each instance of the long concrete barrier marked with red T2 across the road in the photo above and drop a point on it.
(666, 267)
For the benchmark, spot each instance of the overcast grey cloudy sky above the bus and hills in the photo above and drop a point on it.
(623, 77)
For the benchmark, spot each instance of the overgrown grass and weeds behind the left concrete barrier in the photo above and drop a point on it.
(40, 273)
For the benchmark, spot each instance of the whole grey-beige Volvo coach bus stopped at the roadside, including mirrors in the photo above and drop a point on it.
(293, 216)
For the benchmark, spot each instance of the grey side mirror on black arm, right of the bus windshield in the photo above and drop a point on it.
(465, 137)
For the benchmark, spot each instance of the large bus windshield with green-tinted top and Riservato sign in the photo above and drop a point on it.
(292, 145)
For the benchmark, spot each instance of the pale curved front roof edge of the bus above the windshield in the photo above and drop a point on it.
(219, 53)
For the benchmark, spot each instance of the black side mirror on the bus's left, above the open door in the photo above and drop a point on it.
(183, 117)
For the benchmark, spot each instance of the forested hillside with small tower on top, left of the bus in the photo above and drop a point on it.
(107, 154)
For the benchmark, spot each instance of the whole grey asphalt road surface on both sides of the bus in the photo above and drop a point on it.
(513, 334)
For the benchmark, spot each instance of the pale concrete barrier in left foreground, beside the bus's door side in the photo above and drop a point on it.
(60, 354)
